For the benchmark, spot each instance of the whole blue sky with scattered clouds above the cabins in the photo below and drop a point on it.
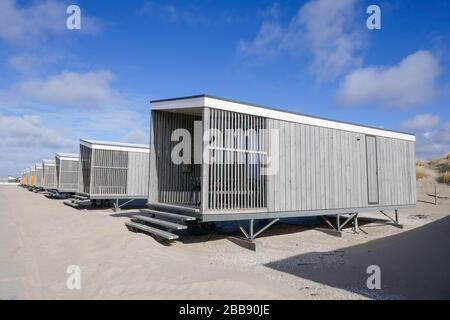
(315, 57)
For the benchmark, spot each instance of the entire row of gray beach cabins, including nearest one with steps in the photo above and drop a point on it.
(293, 165)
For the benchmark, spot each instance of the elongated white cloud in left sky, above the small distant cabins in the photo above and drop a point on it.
(91, 89)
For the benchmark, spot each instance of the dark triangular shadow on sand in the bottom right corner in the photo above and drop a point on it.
(414, 264)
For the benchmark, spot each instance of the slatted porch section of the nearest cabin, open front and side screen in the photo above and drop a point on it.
(222, 167)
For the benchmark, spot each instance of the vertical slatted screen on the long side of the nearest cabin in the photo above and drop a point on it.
(235, 172)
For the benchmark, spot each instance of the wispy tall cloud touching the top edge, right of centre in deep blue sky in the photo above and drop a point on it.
(325, 29)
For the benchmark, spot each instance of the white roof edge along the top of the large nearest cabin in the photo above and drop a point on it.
(235, 106)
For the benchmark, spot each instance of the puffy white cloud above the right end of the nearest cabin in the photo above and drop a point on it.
(409, 83)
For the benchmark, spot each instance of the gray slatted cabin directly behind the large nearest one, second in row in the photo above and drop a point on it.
(112, 171)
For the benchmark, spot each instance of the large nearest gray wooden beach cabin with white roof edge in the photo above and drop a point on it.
(325, 167)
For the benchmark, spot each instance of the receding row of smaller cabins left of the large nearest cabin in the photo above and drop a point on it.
(102, 174)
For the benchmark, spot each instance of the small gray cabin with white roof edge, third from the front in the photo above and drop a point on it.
(66, 172)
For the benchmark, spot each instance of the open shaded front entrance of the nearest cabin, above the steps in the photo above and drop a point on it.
(177, 141)
